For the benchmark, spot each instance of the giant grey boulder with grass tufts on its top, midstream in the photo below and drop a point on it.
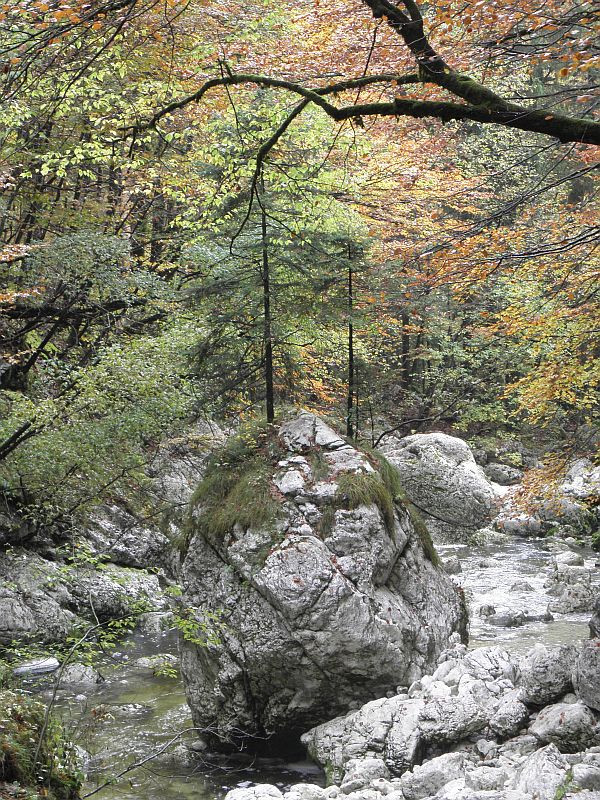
(320, 591)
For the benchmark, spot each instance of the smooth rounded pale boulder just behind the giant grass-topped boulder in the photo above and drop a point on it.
(440, 476)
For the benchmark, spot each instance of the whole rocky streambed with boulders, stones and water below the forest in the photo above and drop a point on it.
(338, 578)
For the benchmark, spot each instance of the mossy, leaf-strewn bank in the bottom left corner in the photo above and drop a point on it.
(34, 754)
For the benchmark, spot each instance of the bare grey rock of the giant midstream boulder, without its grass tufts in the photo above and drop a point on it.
(311, 620)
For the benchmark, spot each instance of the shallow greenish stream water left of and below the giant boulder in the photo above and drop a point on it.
(134, 714)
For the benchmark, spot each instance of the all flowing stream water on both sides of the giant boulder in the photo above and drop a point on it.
(133, 713)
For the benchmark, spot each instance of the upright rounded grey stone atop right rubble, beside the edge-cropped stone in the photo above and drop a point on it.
(546, 674)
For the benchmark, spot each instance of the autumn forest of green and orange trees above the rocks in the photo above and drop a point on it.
(214, 209)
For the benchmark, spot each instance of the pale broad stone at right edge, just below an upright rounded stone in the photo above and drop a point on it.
(570, 726)
